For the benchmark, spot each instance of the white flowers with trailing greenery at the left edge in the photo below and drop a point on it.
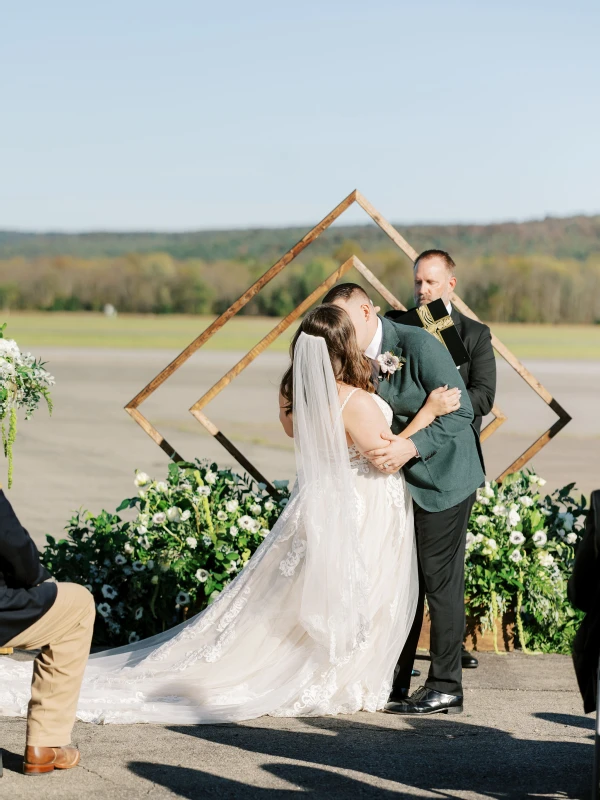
(23, 383)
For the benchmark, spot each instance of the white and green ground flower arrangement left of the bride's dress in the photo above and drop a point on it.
(188, 537)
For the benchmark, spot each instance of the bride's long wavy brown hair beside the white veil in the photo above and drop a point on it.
(349, 364)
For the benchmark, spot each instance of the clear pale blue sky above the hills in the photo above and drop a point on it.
(178, 115)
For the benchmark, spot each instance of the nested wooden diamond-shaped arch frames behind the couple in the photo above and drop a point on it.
(196, 410)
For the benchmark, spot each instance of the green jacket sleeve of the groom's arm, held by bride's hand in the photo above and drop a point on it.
(436, 368)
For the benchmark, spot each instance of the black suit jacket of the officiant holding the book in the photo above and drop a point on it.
(479, 373)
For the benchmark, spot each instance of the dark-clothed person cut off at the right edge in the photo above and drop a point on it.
(584, 593)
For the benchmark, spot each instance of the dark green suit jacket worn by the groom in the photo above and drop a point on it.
(450, 465)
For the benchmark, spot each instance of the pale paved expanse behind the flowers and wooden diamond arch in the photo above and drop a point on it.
(86, 454)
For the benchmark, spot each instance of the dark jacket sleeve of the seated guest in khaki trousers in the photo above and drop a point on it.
(18, 549)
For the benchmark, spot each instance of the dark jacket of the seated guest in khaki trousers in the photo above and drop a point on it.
(24, 597)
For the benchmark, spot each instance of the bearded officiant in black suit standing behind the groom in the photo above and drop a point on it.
(435, 279)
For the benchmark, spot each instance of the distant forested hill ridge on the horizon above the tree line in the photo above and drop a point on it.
(562, 238)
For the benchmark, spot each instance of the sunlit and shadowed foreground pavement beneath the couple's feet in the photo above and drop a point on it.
(522, 735)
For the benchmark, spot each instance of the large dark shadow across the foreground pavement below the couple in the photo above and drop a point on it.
(435, 755)
